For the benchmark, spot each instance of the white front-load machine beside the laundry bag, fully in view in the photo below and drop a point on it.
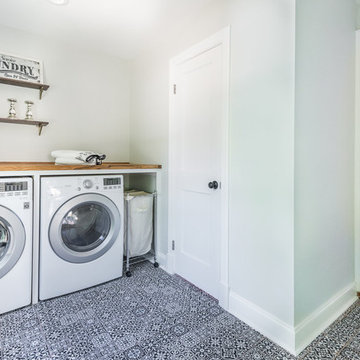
(81, 232)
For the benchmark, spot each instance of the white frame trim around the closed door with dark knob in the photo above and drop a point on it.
(220, 38)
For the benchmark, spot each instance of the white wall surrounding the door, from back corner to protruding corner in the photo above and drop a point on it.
(261, 154)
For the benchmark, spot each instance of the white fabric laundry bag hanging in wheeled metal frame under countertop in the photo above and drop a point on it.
(138, 222)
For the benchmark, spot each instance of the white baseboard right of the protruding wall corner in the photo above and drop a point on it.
(322, 317)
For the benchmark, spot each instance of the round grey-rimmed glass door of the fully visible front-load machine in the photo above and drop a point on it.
(84, 228)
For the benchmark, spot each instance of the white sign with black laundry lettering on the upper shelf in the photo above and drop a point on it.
(14, 67)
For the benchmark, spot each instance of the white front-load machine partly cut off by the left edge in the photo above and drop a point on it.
(15, 243)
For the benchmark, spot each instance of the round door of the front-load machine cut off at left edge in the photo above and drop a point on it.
(12, 240)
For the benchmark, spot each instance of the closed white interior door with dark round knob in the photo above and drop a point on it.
(196, 164)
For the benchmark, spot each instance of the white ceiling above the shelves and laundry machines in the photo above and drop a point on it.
(118, 27)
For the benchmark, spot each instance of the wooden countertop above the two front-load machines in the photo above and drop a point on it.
(46, 166)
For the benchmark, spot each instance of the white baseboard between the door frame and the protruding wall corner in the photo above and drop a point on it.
(262, 321)
